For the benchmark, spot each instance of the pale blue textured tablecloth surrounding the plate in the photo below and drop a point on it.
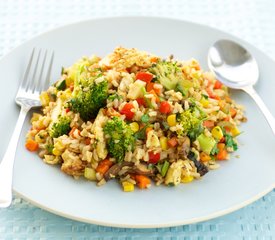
(252, 20)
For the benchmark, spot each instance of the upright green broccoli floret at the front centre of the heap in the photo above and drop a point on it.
(120, 138)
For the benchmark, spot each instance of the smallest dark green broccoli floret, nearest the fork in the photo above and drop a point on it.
(60, 127)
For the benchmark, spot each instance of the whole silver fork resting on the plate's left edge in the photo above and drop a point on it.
(27, 97)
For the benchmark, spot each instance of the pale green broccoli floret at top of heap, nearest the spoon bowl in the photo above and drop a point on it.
(167, 73)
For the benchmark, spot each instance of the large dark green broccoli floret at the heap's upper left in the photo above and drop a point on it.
(90, 99)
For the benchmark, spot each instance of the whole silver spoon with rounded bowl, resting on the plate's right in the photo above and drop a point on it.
(236, 68)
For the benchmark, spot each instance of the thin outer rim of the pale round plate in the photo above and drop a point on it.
(170, 224)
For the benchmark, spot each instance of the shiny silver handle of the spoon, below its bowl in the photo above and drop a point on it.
(268, 116)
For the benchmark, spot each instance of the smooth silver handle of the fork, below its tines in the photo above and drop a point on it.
(6, 166)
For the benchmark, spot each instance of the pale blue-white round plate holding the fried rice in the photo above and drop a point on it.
(237, 183)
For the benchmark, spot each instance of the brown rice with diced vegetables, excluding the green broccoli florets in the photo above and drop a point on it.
(80, 151)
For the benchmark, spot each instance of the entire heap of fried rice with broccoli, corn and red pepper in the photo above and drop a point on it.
(137, 118)
